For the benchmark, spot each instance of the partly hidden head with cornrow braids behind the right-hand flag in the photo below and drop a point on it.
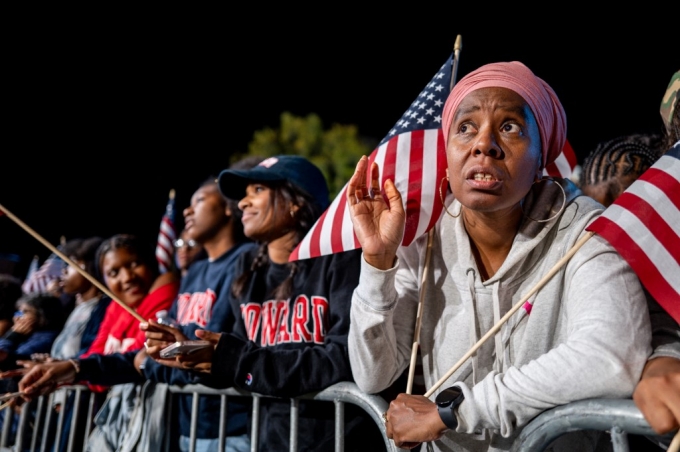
(615, 164)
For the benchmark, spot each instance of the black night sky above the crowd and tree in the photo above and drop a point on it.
(102, 121)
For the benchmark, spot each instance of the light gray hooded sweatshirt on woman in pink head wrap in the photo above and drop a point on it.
(585, 334)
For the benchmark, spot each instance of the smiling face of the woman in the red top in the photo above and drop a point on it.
(126, 276)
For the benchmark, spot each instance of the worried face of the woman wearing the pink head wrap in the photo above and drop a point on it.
(493, 150)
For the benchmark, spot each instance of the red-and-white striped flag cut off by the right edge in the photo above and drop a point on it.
(643, 224)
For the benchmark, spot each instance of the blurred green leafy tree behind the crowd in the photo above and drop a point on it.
(335, 151)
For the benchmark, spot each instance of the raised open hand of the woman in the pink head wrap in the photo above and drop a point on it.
(378, 226)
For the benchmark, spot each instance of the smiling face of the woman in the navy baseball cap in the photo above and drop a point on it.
(260, 219)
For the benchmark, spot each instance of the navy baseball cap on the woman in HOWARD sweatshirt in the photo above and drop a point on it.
(292, 168)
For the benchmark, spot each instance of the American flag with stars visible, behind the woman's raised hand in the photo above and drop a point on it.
(413, 155)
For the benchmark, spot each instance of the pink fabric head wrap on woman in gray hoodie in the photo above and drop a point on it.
(550, 116)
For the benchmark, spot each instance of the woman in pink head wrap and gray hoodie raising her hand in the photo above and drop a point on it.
(584, 334)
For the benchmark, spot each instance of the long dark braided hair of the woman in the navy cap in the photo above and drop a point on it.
(283, 194)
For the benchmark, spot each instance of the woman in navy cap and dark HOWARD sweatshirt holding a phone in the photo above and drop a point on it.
(290, 338)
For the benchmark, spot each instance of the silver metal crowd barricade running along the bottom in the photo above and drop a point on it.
(618, 417)
